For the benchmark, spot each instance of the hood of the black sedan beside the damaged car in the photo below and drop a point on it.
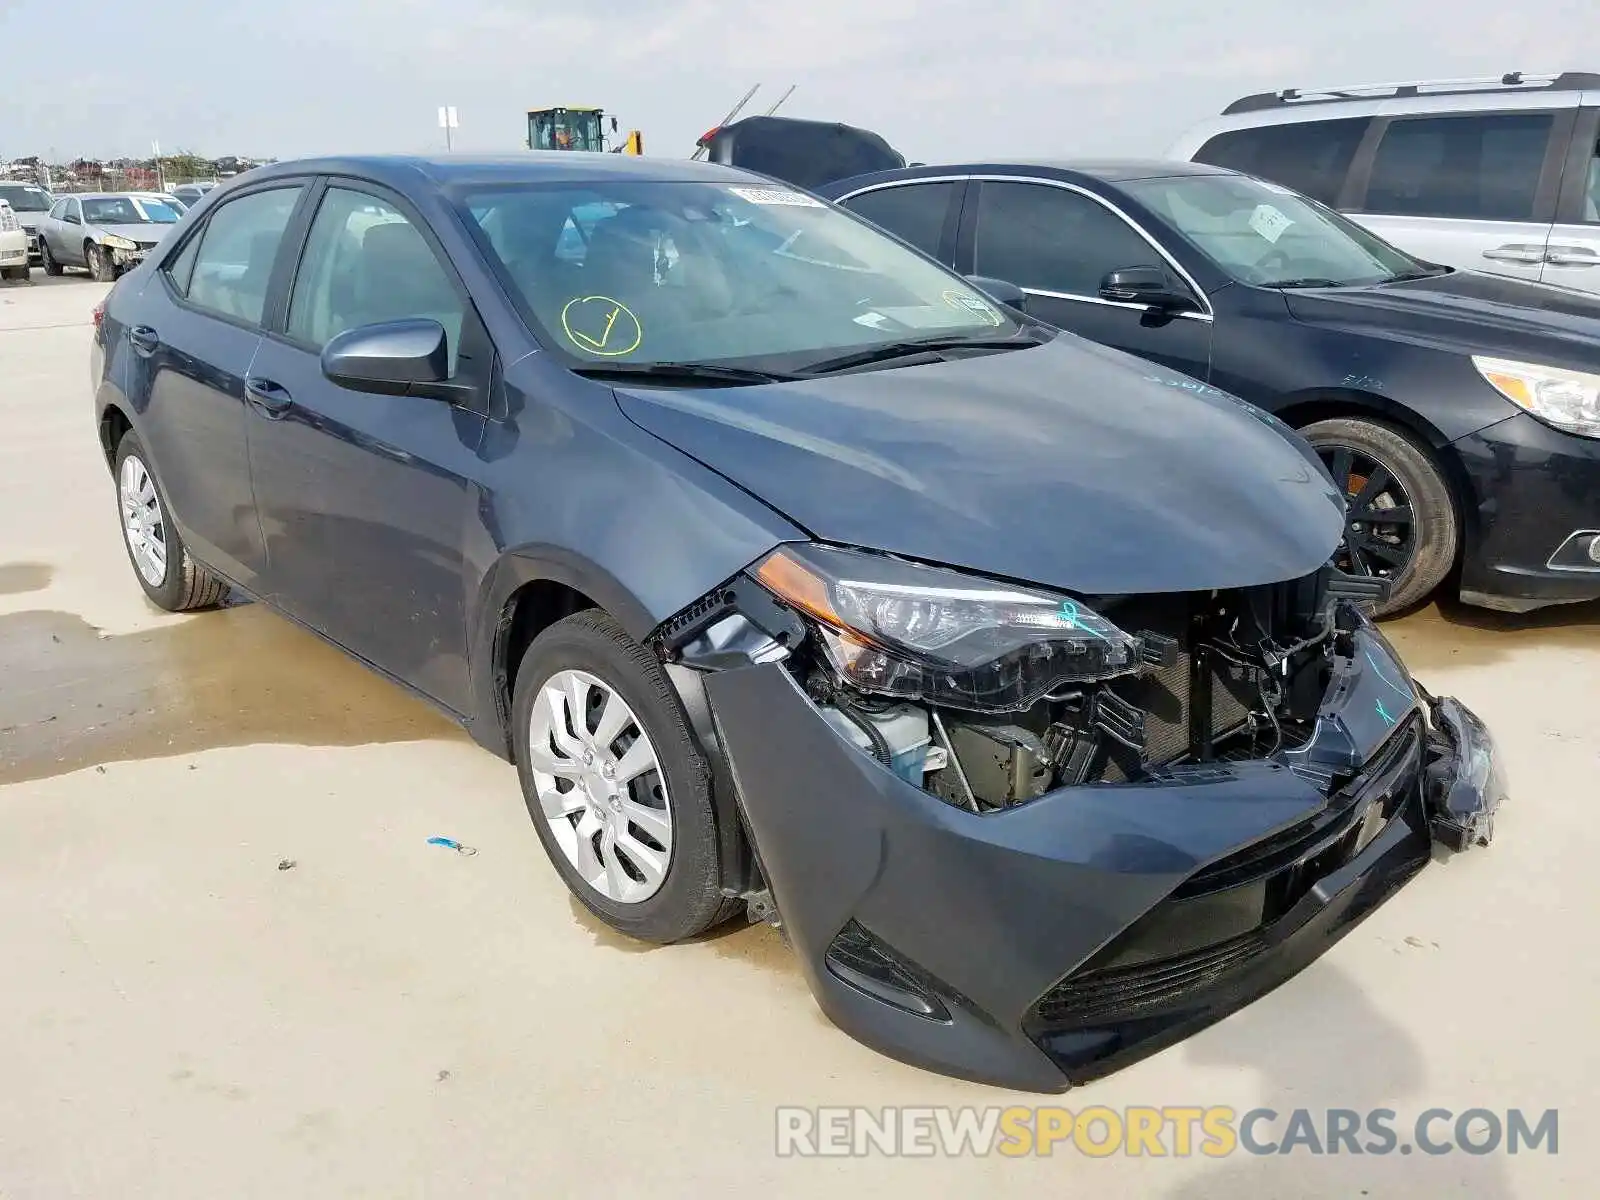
(1468, 313)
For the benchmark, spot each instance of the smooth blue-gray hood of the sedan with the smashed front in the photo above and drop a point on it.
(1065, 465)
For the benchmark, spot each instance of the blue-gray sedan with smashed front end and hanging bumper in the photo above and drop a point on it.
(796, 577)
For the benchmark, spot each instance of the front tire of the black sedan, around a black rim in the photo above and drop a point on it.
(1434, 535)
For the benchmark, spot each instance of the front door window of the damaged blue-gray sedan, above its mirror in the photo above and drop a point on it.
(367, 263)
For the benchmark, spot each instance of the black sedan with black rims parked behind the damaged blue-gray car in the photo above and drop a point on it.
(1458, 412)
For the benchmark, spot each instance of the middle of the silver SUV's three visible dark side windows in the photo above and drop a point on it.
(1481, 167)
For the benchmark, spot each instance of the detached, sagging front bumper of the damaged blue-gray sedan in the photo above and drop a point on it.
(1068, 937)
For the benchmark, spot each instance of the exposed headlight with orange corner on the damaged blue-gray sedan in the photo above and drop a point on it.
(902, 630)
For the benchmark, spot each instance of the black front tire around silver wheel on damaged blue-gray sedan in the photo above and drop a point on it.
(690, 898)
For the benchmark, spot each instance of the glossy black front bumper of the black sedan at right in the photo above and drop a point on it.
(1534, 489)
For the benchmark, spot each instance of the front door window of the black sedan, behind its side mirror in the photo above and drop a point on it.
(1054, 241)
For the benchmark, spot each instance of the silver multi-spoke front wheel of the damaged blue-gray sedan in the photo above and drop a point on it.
(601, 786)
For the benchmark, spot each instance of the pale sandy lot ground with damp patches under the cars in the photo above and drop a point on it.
(183, 1018)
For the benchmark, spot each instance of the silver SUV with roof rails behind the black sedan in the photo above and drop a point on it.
(1498, 174)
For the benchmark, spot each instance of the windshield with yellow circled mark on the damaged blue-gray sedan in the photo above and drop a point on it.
(670, 273)
